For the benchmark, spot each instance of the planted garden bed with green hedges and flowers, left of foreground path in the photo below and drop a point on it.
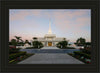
(16, 56)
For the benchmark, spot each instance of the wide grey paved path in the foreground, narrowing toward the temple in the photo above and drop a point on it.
(51, 58)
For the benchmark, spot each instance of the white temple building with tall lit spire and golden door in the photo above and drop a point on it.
(49, 39)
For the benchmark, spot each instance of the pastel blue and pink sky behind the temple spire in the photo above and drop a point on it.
(69, 23)
